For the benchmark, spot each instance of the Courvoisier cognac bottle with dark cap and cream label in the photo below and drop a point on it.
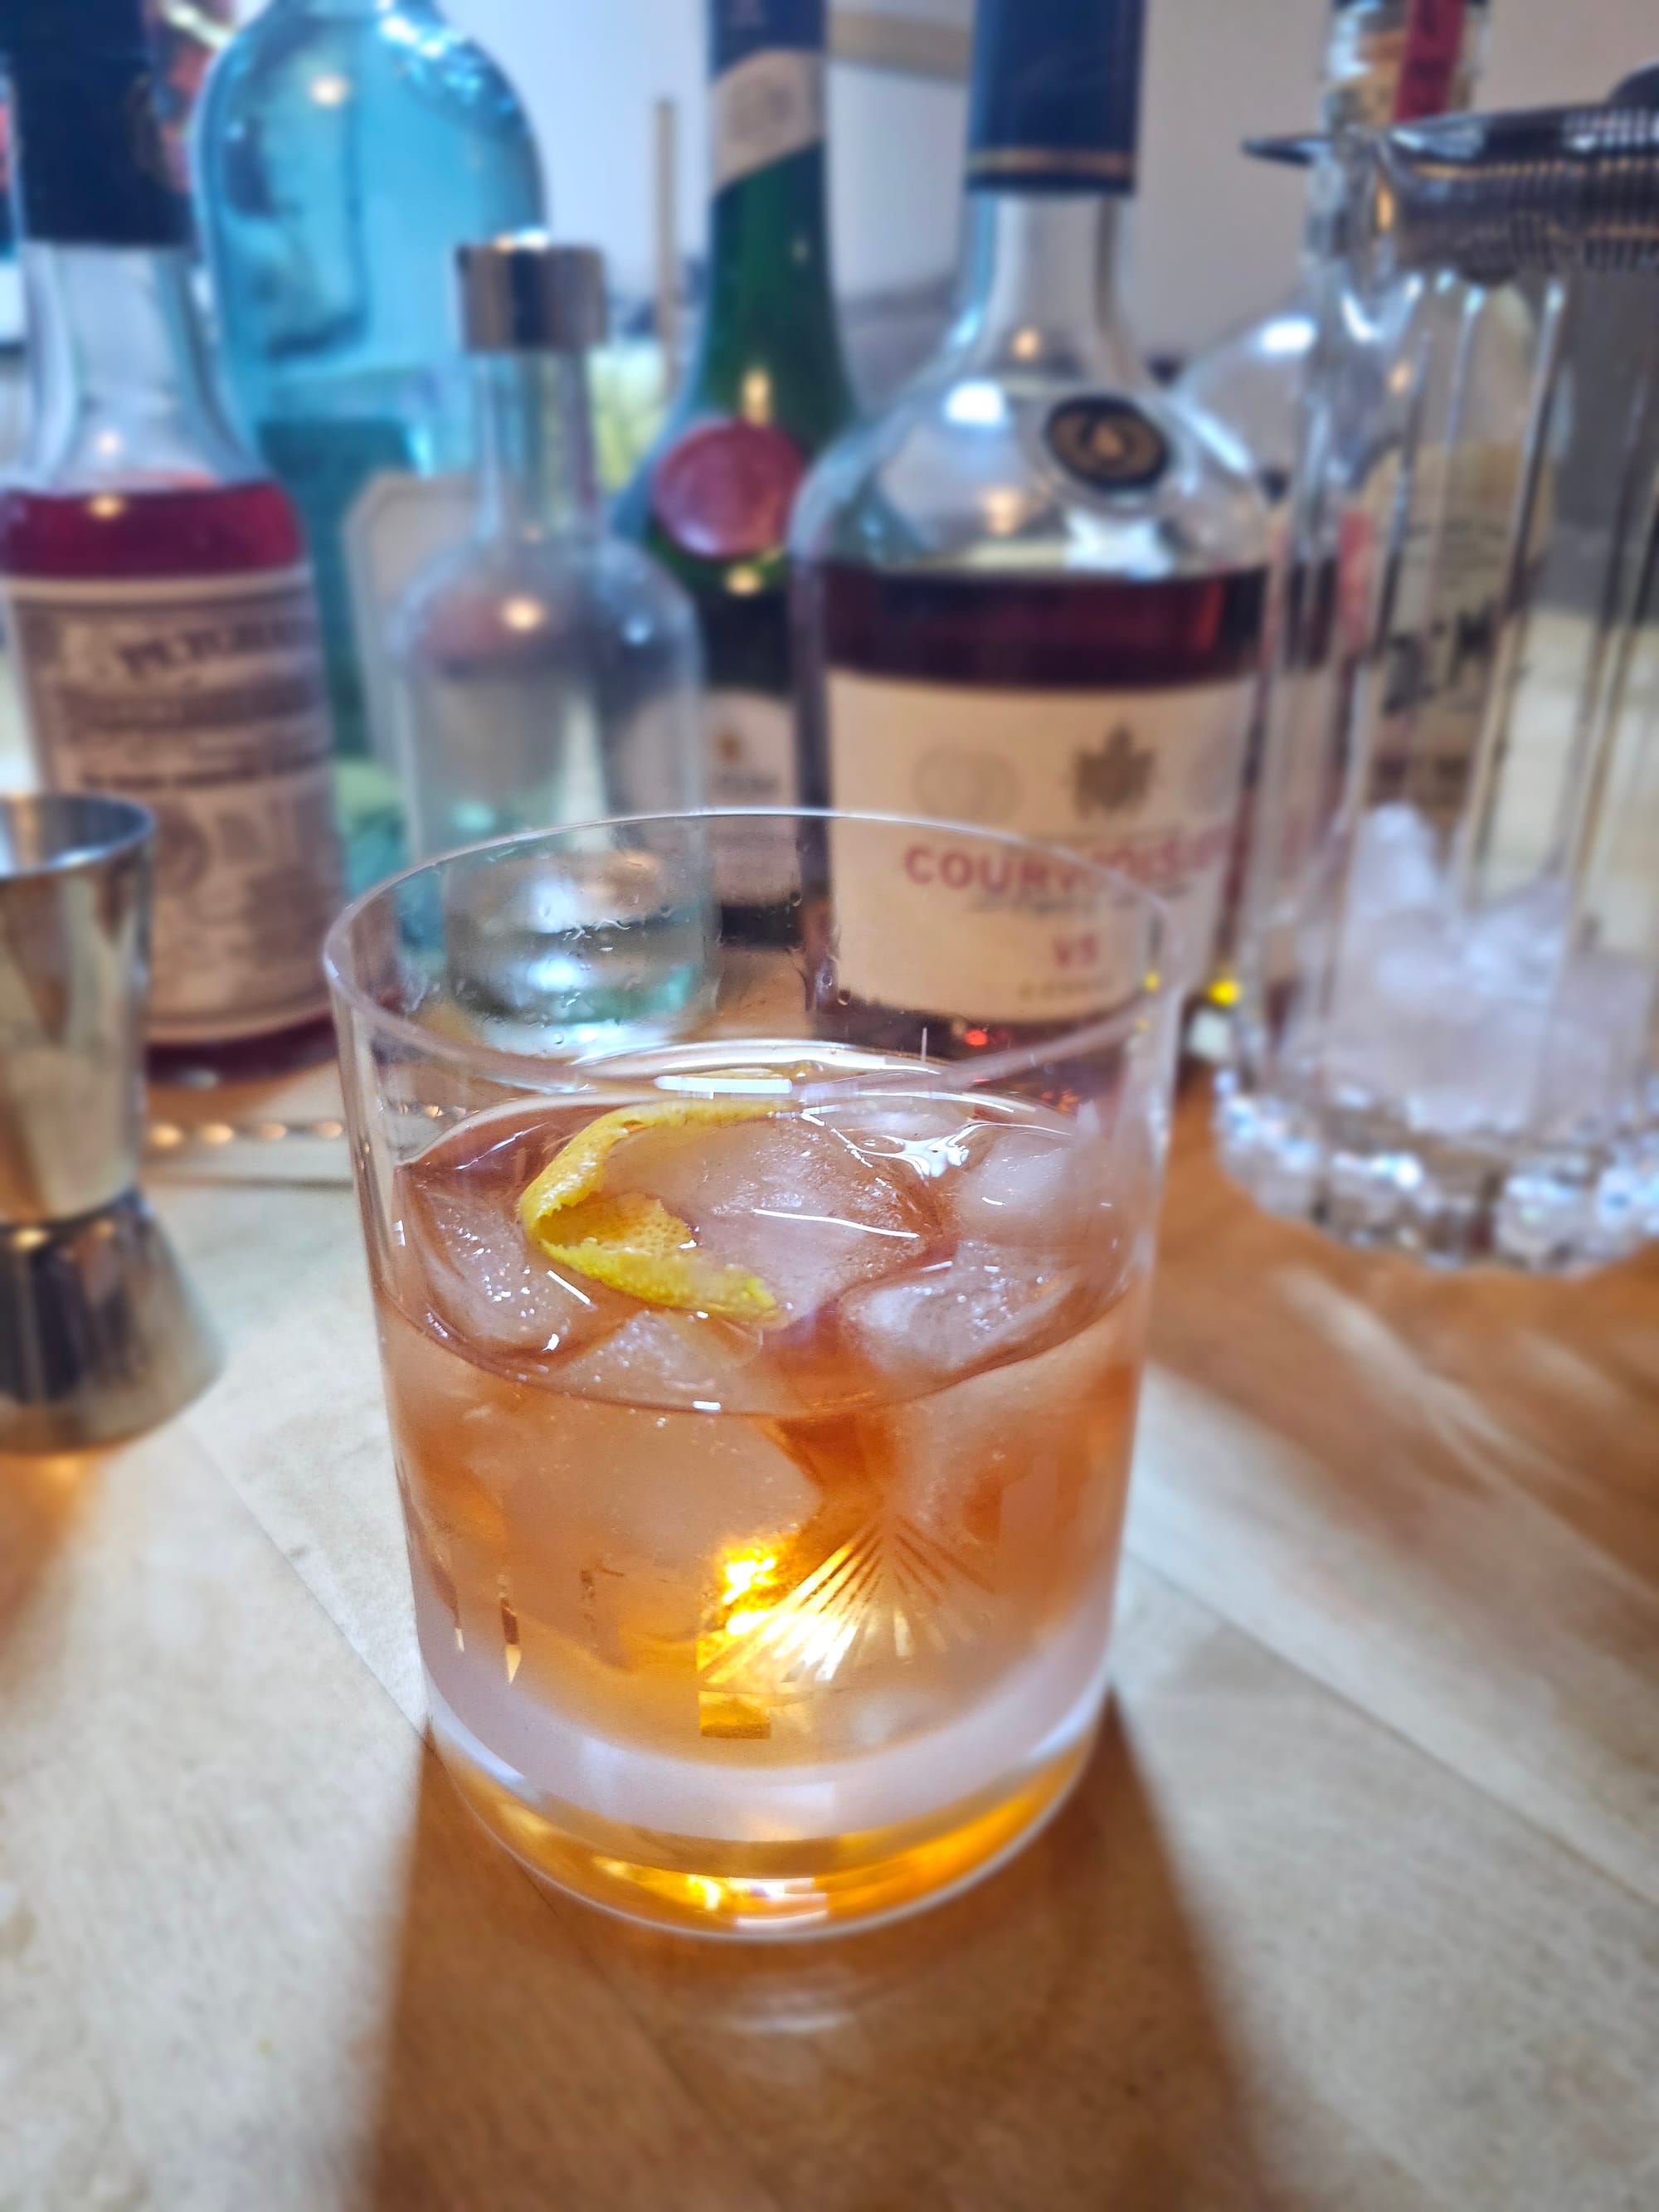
(1030, 594)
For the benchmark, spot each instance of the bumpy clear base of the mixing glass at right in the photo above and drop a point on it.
(1370, 1180)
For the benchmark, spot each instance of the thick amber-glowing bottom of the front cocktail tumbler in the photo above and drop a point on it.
(700, 1886)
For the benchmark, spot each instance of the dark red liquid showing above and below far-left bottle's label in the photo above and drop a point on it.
(129, 536)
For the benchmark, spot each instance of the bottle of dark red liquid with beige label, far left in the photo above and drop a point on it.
(154, 578)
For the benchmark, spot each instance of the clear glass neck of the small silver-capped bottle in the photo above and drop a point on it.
(536, 468)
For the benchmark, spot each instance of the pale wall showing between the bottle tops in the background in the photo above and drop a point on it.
(1215, 233)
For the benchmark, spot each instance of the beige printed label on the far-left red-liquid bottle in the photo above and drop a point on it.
(202, 698)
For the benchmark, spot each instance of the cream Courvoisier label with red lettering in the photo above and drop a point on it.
(1142, 782)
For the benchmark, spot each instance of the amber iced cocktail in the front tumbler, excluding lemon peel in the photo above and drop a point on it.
(674, 1576)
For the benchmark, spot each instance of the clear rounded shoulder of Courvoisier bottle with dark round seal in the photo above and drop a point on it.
(1034, 472)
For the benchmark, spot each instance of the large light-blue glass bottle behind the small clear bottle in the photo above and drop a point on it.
(344, 152)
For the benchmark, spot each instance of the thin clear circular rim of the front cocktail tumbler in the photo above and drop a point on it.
(605, 1072)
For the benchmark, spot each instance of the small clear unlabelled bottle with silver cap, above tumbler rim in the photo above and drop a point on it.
(545, 671)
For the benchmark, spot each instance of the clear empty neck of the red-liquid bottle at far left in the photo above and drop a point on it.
(123, 393)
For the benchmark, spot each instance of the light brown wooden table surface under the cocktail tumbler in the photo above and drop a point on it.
(1359, 1906)
